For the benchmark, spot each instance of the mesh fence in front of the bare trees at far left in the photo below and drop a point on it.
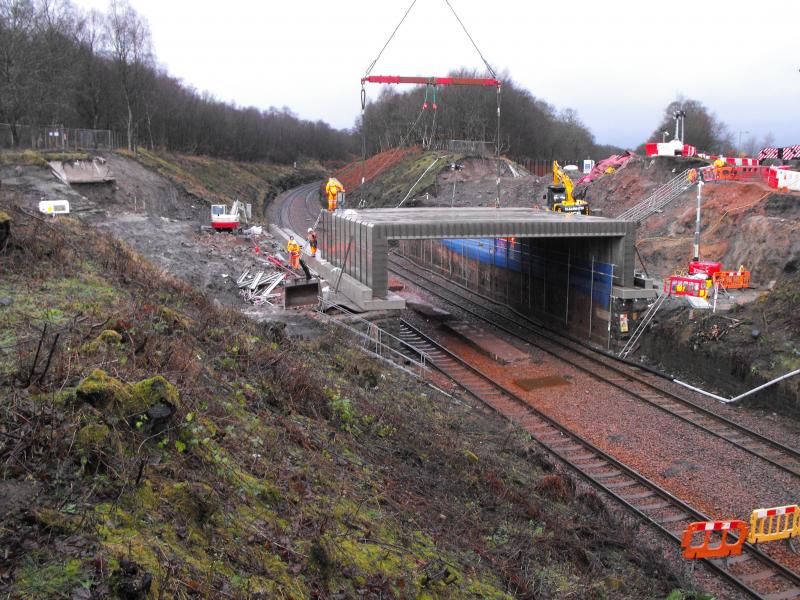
(44, 137)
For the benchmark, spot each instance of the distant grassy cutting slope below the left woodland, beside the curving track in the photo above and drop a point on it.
(222, 181)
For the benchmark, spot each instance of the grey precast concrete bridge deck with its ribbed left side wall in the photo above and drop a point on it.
(357, 241)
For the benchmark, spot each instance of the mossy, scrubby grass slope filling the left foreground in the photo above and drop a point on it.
(290, 469)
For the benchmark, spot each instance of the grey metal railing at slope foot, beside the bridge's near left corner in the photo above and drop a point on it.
(377, 342)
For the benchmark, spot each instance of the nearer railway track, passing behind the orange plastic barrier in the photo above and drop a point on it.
(753, 572)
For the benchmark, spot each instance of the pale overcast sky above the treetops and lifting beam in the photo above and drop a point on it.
(617, 63)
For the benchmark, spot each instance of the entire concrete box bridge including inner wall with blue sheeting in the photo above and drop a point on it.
(567, 268)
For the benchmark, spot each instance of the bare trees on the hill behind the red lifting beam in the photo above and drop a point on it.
(529, 127)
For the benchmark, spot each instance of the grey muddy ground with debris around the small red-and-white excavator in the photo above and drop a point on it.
(163, 222)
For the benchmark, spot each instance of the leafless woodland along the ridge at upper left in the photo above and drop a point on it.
(62, 66)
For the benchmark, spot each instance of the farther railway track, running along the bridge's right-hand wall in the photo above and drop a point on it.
(635, 382)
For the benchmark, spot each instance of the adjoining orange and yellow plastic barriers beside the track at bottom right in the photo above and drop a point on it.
(715, 539)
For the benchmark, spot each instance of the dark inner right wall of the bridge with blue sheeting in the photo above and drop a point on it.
(563, 289)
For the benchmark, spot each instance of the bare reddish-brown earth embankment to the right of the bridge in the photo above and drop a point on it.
(740, 224)
